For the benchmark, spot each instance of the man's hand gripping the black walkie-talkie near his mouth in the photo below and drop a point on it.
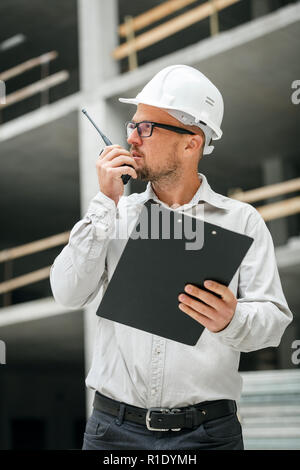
(110, 169)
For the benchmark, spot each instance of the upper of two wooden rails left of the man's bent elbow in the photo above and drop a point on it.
(34, 247)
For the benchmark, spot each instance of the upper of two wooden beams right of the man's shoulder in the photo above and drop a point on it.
(269, 191)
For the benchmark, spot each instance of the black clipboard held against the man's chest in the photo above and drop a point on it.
(143, 291)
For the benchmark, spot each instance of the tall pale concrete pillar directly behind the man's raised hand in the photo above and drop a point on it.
(98, 21)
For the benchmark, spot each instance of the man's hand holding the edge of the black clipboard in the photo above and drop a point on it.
(217, 314)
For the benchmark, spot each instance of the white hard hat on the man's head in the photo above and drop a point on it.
(189, 96)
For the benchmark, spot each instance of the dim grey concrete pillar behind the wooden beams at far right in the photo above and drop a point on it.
(273, 172)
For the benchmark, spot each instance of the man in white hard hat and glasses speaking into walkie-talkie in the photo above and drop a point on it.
(178, 113)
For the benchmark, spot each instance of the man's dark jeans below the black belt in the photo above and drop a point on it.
(105, 432)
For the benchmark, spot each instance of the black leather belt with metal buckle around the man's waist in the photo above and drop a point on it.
(165, 419)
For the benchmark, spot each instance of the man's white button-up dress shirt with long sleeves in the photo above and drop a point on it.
(146, 370)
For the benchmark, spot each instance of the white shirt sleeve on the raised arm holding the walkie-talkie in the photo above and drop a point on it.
(78, 272)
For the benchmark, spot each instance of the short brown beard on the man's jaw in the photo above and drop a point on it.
(167, 170)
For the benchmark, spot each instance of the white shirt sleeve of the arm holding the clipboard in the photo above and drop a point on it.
(262, 313)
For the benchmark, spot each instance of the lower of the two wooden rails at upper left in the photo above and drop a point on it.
(35, 88)
